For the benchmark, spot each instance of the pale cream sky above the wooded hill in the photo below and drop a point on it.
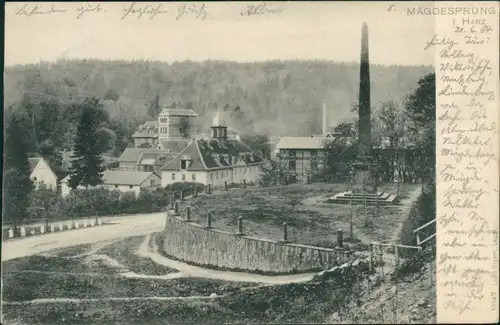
(299, 30)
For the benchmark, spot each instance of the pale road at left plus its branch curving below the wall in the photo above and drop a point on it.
(128, 226)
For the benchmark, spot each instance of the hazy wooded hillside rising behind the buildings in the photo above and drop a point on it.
(275, 98)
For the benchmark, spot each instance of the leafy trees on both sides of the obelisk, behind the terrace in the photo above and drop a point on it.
(410, 126)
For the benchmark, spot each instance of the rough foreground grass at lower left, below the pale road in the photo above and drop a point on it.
(34, 277)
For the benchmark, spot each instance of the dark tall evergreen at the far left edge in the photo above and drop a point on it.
(17, 183)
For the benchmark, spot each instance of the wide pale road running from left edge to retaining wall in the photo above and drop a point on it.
(119, 227)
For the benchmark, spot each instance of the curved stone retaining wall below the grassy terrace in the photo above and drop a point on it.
(197, 244)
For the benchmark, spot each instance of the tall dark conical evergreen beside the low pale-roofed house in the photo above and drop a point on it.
(86, 161)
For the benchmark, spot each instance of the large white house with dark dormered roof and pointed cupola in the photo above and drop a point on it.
(214, 160)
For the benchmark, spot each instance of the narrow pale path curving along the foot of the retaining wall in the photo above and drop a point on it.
(151, 252)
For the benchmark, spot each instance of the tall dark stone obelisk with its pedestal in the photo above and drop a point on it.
(363, 182)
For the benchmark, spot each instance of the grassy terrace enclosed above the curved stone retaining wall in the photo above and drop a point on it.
(309, 222)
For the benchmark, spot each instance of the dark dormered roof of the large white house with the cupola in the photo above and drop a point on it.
(212, 154)
